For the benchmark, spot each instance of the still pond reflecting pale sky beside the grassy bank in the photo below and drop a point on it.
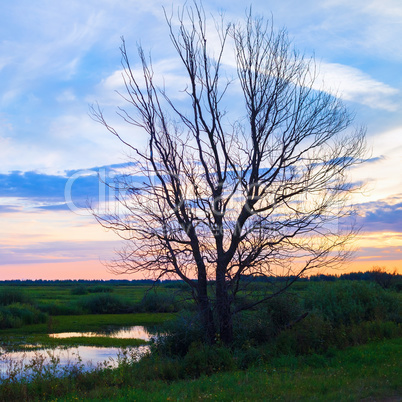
(62, 360)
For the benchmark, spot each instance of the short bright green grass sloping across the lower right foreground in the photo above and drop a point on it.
(371, 371)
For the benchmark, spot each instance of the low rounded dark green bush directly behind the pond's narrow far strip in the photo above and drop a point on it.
(105, 303)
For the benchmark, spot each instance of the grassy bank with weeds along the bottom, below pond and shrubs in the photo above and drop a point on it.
(369, 372)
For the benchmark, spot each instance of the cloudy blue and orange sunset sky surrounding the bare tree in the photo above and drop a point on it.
(59, 57)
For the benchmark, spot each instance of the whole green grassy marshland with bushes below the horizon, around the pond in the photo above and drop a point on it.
(311, 361)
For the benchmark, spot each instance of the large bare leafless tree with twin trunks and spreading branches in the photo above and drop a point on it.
(225, 199)
